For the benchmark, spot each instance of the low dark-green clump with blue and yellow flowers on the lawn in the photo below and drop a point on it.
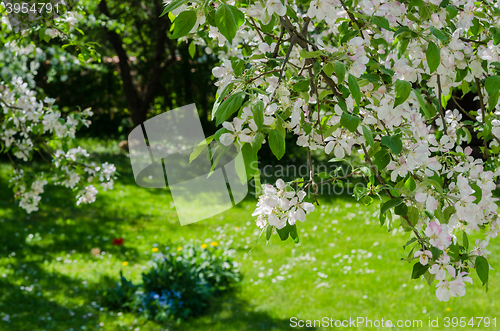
(180, 283)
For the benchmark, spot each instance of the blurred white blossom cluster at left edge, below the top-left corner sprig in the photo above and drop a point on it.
(32, 125)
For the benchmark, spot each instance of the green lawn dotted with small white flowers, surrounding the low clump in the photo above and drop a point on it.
(346, 265)
